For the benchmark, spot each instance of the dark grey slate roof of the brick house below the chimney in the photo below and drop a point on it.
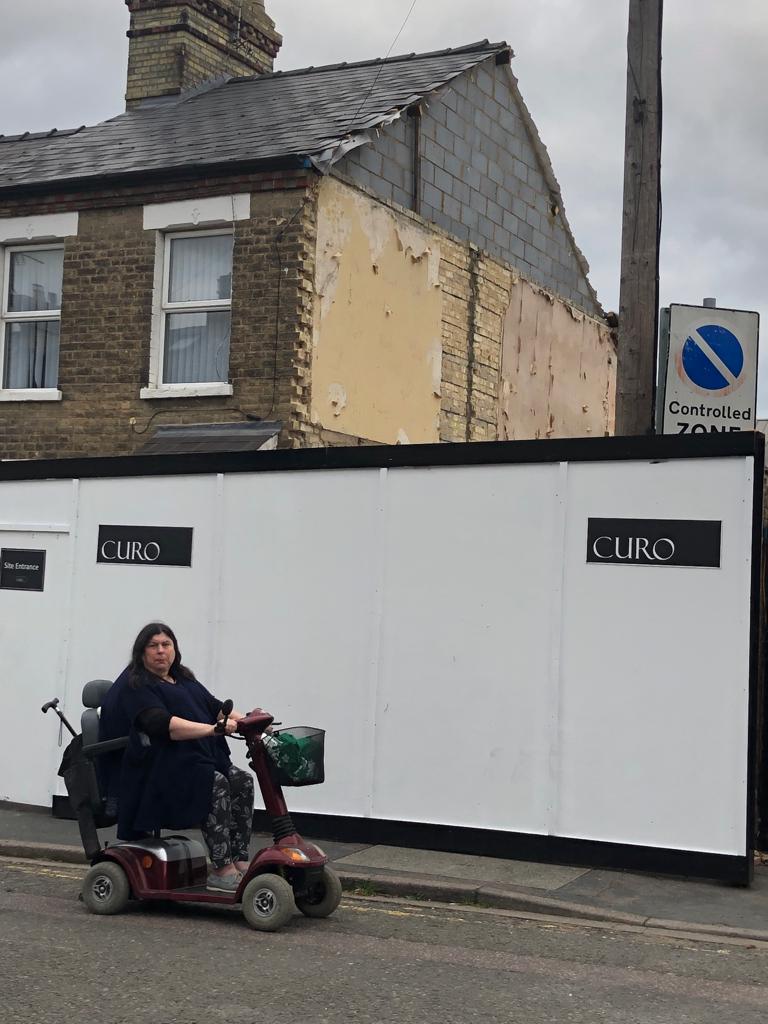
(297, 117)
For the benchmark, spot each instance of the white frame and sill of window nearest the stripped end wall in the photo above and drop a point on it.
(162, 308)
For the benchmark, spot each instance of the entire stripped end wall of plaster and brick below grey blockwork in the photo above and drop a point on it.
(420, 337)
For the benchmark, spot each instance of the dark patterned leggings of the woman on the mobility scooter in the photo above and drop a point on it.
(228, 828)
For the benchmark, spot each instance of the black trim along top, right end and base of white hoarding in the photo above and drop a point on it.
(733, 869)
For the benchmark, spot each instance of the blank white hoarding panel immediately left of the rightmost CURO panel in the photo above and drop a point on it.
(463, 708)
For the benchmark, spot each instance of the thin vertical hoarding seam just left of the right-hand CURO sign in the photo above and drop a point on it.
(554, 696)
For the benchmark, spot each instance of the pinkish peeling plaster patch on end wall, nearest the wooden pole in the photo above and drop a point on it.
(559, 370)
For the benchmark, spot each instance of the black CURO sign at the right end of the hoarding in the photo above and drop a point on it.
(655, 542)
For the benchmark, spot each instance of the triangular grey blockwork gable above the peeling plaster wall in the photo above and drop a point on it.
(483, 179)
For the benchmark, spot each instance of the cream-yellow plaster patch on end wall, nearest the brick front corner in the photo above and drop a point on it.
(376, 364)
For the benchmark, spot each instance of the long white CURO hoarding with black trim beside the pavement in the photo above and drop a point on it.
(560, 649)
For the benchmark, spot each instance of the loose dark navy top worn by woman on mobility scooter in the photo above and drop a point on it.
(167, 785)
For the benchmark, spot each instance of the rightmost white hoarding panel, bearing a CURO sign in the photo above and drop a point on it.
(655, 713)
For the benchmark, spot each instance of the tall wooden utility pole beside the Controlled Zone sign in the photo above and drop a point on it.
(638, 304)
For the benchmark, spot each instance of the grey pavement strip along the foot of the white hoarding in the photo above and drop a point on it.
(620, 899)
